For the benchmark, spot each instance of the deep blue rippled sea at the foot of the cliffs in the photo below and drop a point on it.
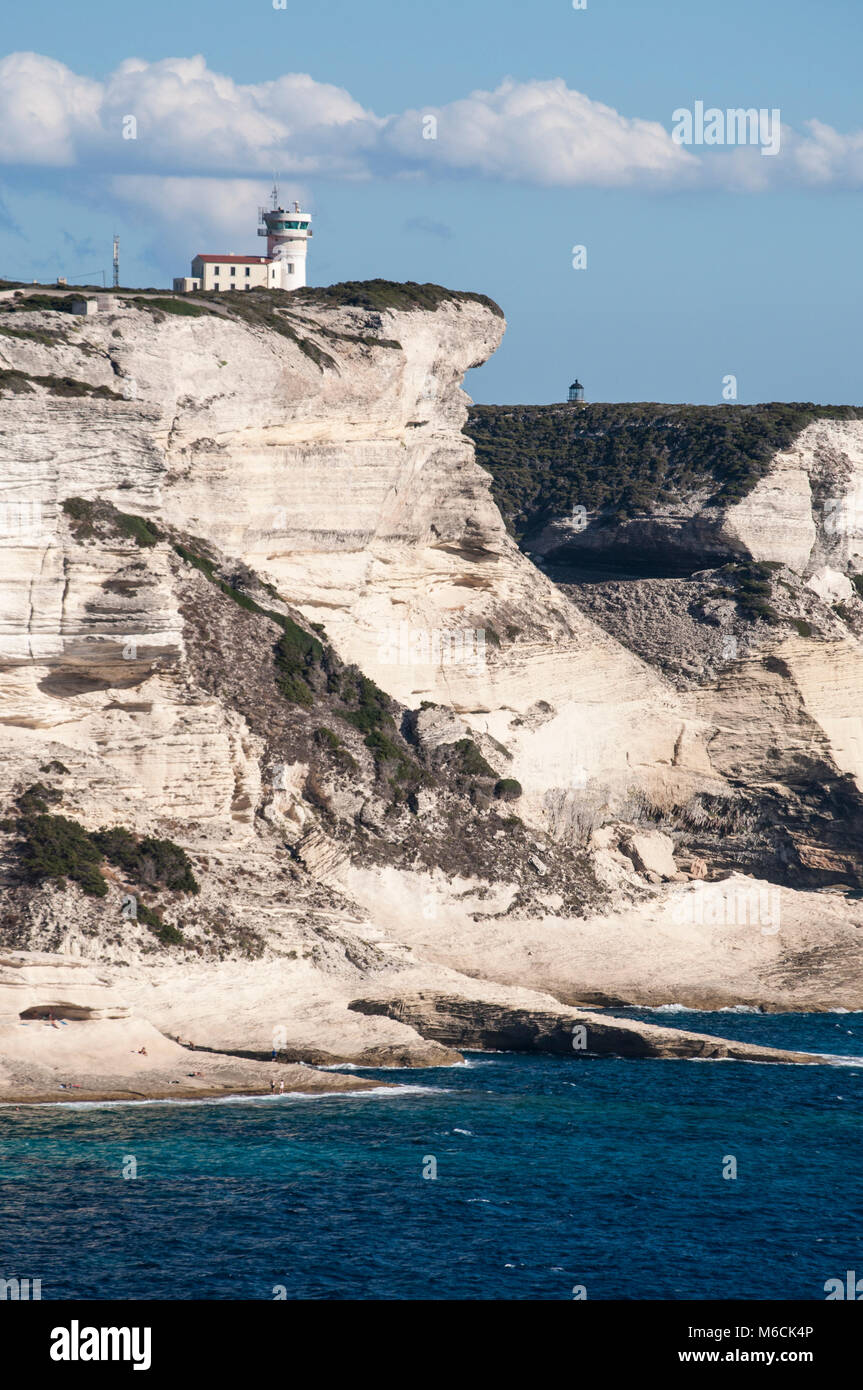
(551, 1174)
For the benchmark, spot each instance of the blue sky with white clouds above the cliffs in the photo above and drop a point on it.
(475, 145)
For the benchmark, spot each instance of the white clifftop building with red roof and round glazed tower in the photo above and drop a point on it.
(283, 268)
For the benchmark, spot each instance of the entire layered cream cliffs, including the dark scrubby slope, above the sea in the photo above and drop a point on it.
(179, 490)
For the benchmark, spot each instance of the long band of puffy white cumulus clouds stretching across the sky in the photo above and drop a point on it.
(188, 122)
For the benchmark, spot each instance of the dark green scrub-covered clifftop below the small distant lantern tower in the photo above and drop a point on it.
(629, 459)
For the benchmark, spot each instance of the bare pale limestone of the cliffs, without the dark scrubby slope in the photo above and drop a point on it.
(350, 487)
